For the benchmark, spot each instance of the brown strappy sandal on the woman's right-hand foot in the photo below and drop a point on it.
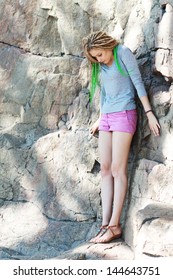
(115, 233)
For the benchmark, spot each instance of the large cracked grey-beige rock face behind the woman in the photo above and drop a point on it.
(49, 167)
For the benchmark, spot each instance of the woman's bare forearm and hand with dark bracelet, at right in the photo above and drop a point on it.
(152, 121)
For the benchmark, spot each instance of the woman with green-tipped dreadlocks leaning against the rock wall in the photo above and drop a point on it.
(119, 80)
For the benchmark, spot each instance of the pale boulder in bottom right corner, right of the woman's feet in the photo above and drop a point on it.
(157, 221)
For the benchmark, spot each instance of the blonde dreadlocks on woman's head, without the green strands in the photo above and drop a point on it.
(99, 40)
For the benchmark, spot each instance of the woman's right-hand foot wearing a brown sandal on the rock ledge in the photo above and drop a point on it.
(111, 233)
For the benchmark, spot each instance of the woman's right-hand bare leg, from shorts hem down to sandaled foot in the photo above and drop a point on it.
(120, 150)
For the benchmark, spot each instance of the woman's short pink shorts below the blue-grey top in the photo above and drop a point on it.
(124, 121)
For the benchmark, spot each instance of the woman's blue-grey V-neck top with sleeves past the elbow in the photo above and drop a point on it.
(117, 90)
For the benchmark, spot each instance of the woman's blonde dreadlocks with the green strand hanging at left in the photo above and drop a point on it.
(98, 40)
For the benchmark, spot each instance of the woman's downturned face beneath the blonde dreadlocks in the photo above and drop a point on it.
(102, 55)
